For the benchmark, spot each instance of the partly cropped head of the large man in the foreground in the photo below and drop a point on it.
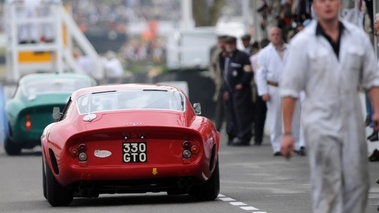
(327, 10)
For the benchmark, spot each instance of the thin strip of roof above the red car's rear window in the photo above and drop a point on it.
(103, 88)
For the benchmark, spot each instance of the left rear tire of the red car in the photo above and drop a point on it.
(56, 194)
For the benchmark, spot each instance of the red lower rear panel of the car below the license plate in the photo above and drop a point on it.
(198, 172)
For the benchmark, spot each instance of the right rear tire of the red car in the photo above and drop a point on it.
(210, 189)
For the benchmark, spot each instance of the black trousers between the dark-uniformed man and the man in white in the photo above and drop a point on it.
(260, 111)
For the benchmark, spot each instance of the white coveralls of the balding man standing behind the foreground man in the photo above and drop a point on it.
(270, 70)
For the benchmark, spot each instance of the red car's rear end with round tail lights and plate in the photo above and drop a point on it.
(137, 159)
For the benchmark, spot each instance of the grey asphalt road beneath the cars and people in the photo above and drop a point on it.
(252, 180)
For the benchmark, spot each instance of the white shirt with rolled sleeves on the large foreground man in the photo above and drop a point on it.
(330, 84)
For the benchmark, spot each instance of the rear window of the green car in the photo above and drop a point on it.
(35, 88)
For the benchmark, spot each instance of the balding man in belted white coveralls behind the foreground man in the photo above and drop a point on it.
(271, 61)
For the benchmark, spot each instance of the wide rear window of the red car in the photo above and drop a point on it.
(131, 99)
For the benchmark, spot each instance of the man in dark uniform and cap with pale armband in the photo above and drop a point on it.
(237, 74)
